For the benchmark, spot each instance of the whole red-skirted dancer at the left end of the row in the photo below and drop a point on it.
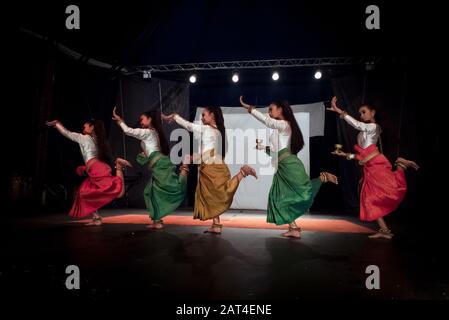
(100, 187)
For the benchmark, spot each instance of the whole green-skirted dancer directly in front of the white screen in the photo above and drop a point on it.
(292, 192)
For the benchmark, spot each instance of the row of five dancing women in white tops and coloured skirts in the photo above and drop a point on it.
(292, 191)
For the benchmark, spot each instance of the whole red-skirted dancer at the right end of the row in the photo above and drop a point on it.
(382, 189)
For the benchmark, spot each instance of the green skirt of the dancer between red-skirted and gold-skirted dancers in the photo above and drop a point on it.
(166, 189)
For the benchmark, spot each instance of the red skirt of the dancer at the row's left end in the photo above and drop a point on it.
(97, 190)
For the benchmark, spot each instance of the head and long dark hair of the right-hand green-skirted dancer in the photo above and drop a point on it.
(281, 110)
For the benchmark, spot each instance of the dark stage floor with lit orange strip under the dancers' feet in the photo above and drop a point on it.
(250, 260)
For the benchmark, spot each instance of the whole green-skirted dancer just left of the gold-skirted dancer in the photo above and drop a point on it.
(166, 189)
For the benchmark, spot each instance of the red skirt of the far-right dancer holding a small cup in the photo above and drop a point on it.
(382, 189)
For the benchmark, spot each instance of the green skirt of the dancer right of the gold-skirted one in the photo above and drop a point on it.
(292, 192)
